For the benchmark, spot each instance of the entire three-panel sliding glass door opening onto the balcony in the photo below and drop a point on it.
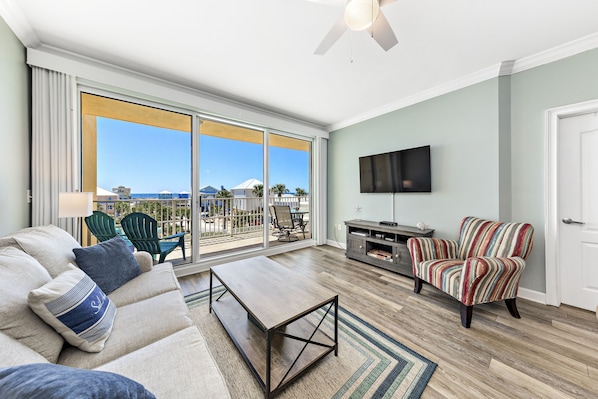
(217, 181)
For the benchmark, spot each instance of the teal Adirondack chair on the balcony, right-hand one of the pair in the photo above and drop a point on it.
(142, 231)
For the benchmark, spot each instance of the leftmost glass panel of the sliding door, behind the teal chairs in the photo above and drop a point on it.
(137, 158)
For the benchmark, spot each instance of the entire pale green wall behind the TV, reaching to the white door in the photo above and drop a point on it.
(487, 154)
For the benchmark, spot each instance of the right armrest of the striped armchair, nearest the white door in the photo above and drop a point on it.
(487, 279)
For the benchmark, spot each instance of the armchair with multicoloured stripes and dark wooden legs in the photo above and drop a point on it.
(484, 265)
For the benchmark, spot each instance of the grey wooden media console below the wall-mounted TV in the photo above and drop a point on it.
(382, 245)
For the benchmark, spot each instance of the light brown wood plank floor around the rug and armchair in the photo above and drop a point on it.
(549, 353)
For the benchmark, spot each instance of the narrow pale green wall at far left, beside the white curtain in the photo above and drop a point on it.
(14, 132)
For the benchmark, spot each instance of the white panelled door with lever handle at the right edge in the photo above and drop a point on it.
(578, 210)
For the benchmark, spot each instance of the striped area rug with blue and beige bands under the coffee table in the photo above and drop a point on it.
(370, 364)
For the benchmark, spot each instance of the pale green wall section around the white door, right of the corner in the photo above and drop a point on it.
(568, 81)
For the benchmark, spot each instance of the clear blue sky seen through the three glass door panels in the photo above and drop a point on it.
(149, 160)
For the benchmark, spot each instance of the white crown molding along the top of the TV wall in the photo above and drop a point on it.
(505, 68)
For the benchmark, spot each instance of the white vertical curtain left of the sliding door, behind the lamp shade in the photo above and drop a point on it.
(55, 147)
